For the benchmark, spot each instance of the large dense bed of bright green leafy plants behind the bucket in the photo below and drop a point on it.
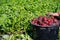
(16, 14)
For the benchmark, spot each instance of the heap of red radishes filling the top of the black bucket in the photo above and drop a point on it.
(44, 21)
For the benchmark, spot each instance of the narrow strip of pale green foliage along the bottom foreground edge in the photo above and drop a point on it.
(16, 37)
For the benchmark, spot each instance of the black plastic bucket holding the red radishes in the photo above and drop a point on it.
(46, 33)
